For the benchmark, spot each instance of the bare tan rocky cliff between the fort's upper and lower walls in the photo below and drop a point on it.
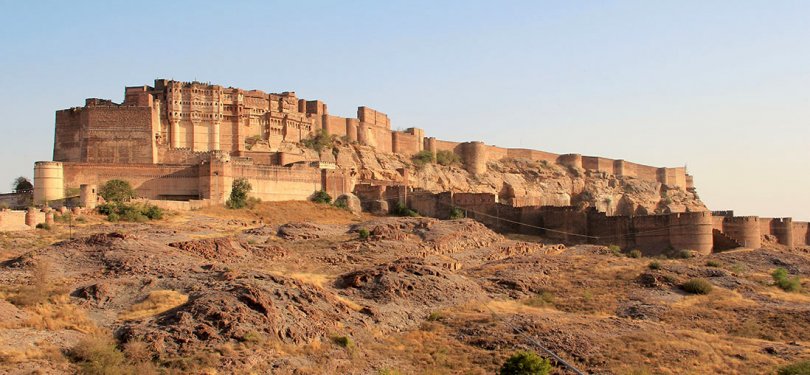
(534, 182)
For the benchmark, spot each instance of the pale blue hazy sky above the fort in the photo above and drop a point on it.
(720, 86)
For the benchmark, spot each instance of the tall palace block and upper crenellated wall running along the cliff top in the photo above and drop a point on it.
(177, 122)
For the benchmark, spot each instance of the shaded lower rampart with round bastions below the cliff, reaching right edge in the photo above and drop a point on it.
(701, 232)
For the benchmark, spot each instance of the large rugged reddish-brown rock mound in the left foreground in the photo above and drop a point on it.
(273, 306)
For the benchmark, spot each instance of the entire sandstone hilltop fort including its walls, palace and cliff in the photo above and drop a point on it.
(183, 144)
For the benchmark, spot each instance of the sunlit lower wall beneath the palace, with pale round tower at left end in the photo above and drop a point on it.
(211, 179)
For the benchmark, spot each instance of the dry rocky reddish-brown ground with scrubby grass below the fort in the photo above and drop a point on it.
(293, 288)
